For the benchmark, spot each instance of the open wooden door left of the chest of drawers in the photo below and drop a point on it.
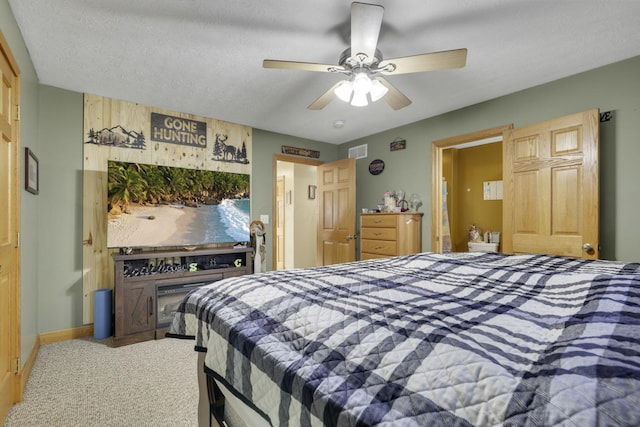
(337, 212)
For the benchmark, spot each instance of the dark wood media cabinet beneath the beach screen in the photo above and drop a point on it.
(142, 279)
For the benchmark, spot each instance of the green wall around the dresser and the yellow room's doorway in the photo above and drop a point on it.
(611, 88)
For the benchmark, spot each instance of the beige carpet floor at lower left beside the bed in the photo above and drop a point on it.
(87, 382)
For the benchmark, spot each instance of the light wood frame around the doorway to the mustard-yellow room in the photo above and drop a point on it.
(437, 148)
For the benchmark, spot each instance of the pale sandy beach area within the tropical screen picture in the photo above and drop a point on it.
(172, 222)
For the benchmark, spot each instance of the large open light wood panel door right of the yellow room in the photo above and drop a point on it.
(551, 187)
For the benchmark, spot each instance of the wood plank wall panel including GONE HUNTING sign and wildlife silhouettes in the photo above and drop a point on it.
(123, 131)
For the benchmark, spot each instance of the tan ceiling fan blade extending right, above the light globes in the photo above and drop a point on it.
(427, 62)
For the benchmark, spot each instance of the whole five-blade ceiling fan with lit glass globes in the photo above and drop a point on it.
(364, 65)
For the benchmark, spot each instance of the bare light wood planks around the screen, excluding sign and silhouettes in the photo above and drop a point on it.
(105, 113)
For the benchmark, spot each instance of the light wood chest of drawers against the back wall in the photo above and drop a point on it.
(390, 234)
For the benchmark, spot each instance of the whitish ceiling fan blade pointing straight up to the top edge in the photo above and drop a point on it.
(366, 20)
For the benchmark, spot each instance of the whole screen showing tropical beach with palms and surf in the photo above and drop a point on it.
(155, 206)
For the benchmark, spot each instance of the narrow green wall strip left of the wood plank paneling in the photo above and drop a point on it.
(60, 221)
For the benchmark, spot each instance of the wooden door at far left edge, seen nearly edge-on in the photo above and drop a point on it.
(9, 225)
